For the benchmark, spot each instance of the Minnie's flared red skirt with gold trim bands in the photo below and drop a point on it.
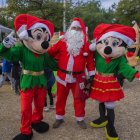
(106, 88)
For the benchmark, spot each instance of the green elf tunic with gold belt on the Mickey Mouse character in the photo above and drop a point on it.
(31, 63)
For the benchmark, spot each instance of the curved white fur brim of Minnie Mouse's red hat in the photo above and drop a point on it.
(125, 38)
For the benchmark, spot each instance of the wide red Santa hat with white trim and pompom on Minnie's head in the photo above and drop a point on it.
(126, 33)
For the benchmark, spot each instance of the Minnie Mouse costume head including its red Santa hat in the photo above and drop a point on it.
(111, 40)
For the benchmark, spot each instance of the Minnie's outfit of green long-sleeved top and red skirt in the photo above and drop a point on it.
(105, 87)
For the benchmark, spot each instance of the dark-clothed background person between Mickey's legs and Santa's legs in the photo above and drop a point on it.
(50, 82)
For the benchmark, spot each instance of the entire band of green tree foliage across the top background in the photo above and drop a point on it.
(90, 12)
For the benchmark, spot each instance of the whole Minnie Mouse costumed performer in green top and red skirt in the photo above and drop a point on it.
(111, 40)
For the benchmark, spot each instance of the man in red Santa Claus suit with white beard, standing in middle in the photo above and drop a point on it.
(73, 57)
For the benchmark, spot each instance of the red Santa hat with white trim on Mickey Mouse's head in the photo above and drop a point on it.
(24, 22)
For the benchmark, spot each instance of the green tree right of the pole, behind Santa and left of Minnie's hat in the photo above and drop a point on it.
(92, 14)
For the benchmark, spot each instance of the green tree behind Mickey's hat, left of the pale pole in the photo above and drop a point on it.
(46, 9)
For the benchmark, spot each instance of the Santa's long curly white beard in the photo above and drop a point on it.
(75, 42)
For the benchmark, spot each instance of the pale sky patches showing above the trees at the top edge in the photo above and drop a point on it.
(105, 3)
